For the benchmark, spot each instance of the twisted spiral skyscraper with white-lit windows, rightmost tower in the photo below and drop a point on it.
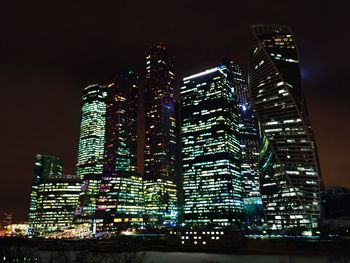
(289, 171)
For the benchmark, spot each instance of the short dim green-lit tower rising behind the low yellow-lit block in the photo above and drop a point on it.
(44, 167)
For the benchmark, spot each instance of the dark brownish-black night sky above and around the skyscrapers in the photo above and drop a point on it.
(49, 52)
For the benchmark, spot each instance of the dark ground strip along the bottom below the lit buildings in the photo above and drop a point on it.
(132, 250)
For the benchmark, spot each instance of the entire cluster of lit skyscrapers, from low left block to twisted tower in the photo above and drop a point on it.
(229, 151)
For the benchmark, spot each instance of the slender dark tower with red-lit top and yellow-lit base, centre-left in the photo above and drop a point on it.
(160, 142)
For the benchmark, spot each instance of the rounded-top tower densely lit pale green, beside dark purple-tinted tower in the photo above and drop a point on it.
(91, 149)
